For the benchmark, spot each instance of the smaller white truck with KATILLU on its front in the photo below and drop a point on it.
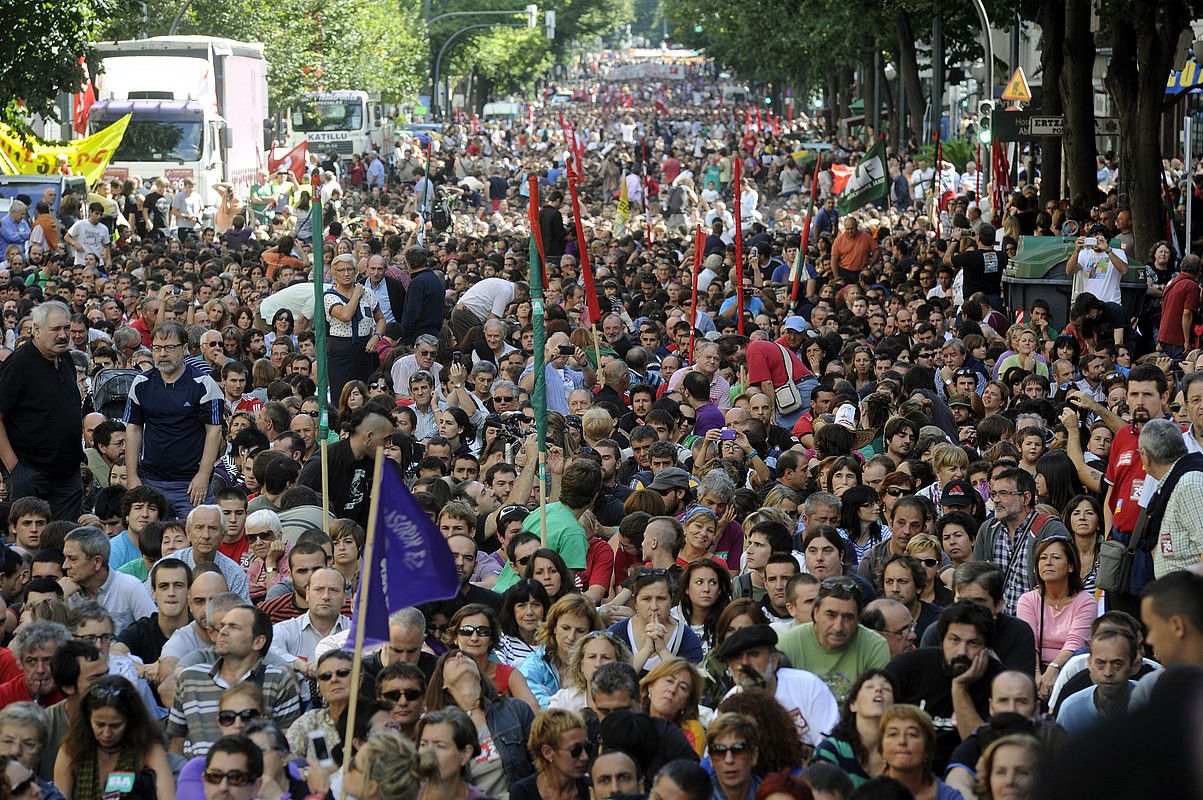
(343, 122)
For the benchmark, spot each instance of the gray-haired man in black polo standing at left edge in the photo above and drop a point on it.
(42, 417)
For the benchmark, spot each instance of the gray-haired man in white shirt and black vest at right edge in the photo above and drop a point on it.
(1176, 509)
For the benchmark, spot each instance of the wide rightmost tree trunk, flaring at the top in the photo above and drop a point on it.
(1145, 42)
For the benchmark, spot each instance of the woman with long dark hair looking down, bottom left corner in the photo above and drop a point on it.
(112, 734)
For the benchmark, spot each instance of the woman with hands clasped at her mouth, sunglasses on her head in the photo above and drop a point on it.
(654, 635)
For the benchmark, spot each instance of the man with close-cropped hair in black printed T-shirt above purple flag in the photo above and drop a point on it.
(352, 464)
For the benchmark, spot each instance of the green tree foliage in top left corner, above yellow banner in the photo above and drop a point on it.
(40, 54)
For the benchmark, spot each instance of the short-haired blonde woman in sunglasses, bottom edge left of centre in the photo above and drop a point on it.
(561, 754)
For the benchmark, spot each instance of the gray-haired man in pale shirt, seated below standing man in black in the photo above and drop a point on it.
(88, 578)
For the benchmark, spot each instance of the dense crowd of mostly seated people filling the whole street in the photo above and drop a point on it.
(879, 540)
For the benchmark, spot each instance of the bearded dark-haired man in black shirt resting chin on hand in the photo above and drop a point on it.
(951, 683)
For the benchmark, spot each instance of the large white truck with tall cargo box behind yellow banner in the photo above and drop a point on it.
(199, 106)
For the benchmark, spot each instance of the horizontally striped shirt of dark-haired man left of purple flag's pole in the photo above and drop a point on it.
(194, 714)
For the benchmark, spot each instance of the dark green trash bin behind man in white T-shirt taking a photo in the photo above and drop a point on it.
(1038, 272)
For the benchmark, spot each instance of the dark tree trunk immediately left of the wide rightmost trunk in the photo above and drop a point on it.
(1078, 96)
